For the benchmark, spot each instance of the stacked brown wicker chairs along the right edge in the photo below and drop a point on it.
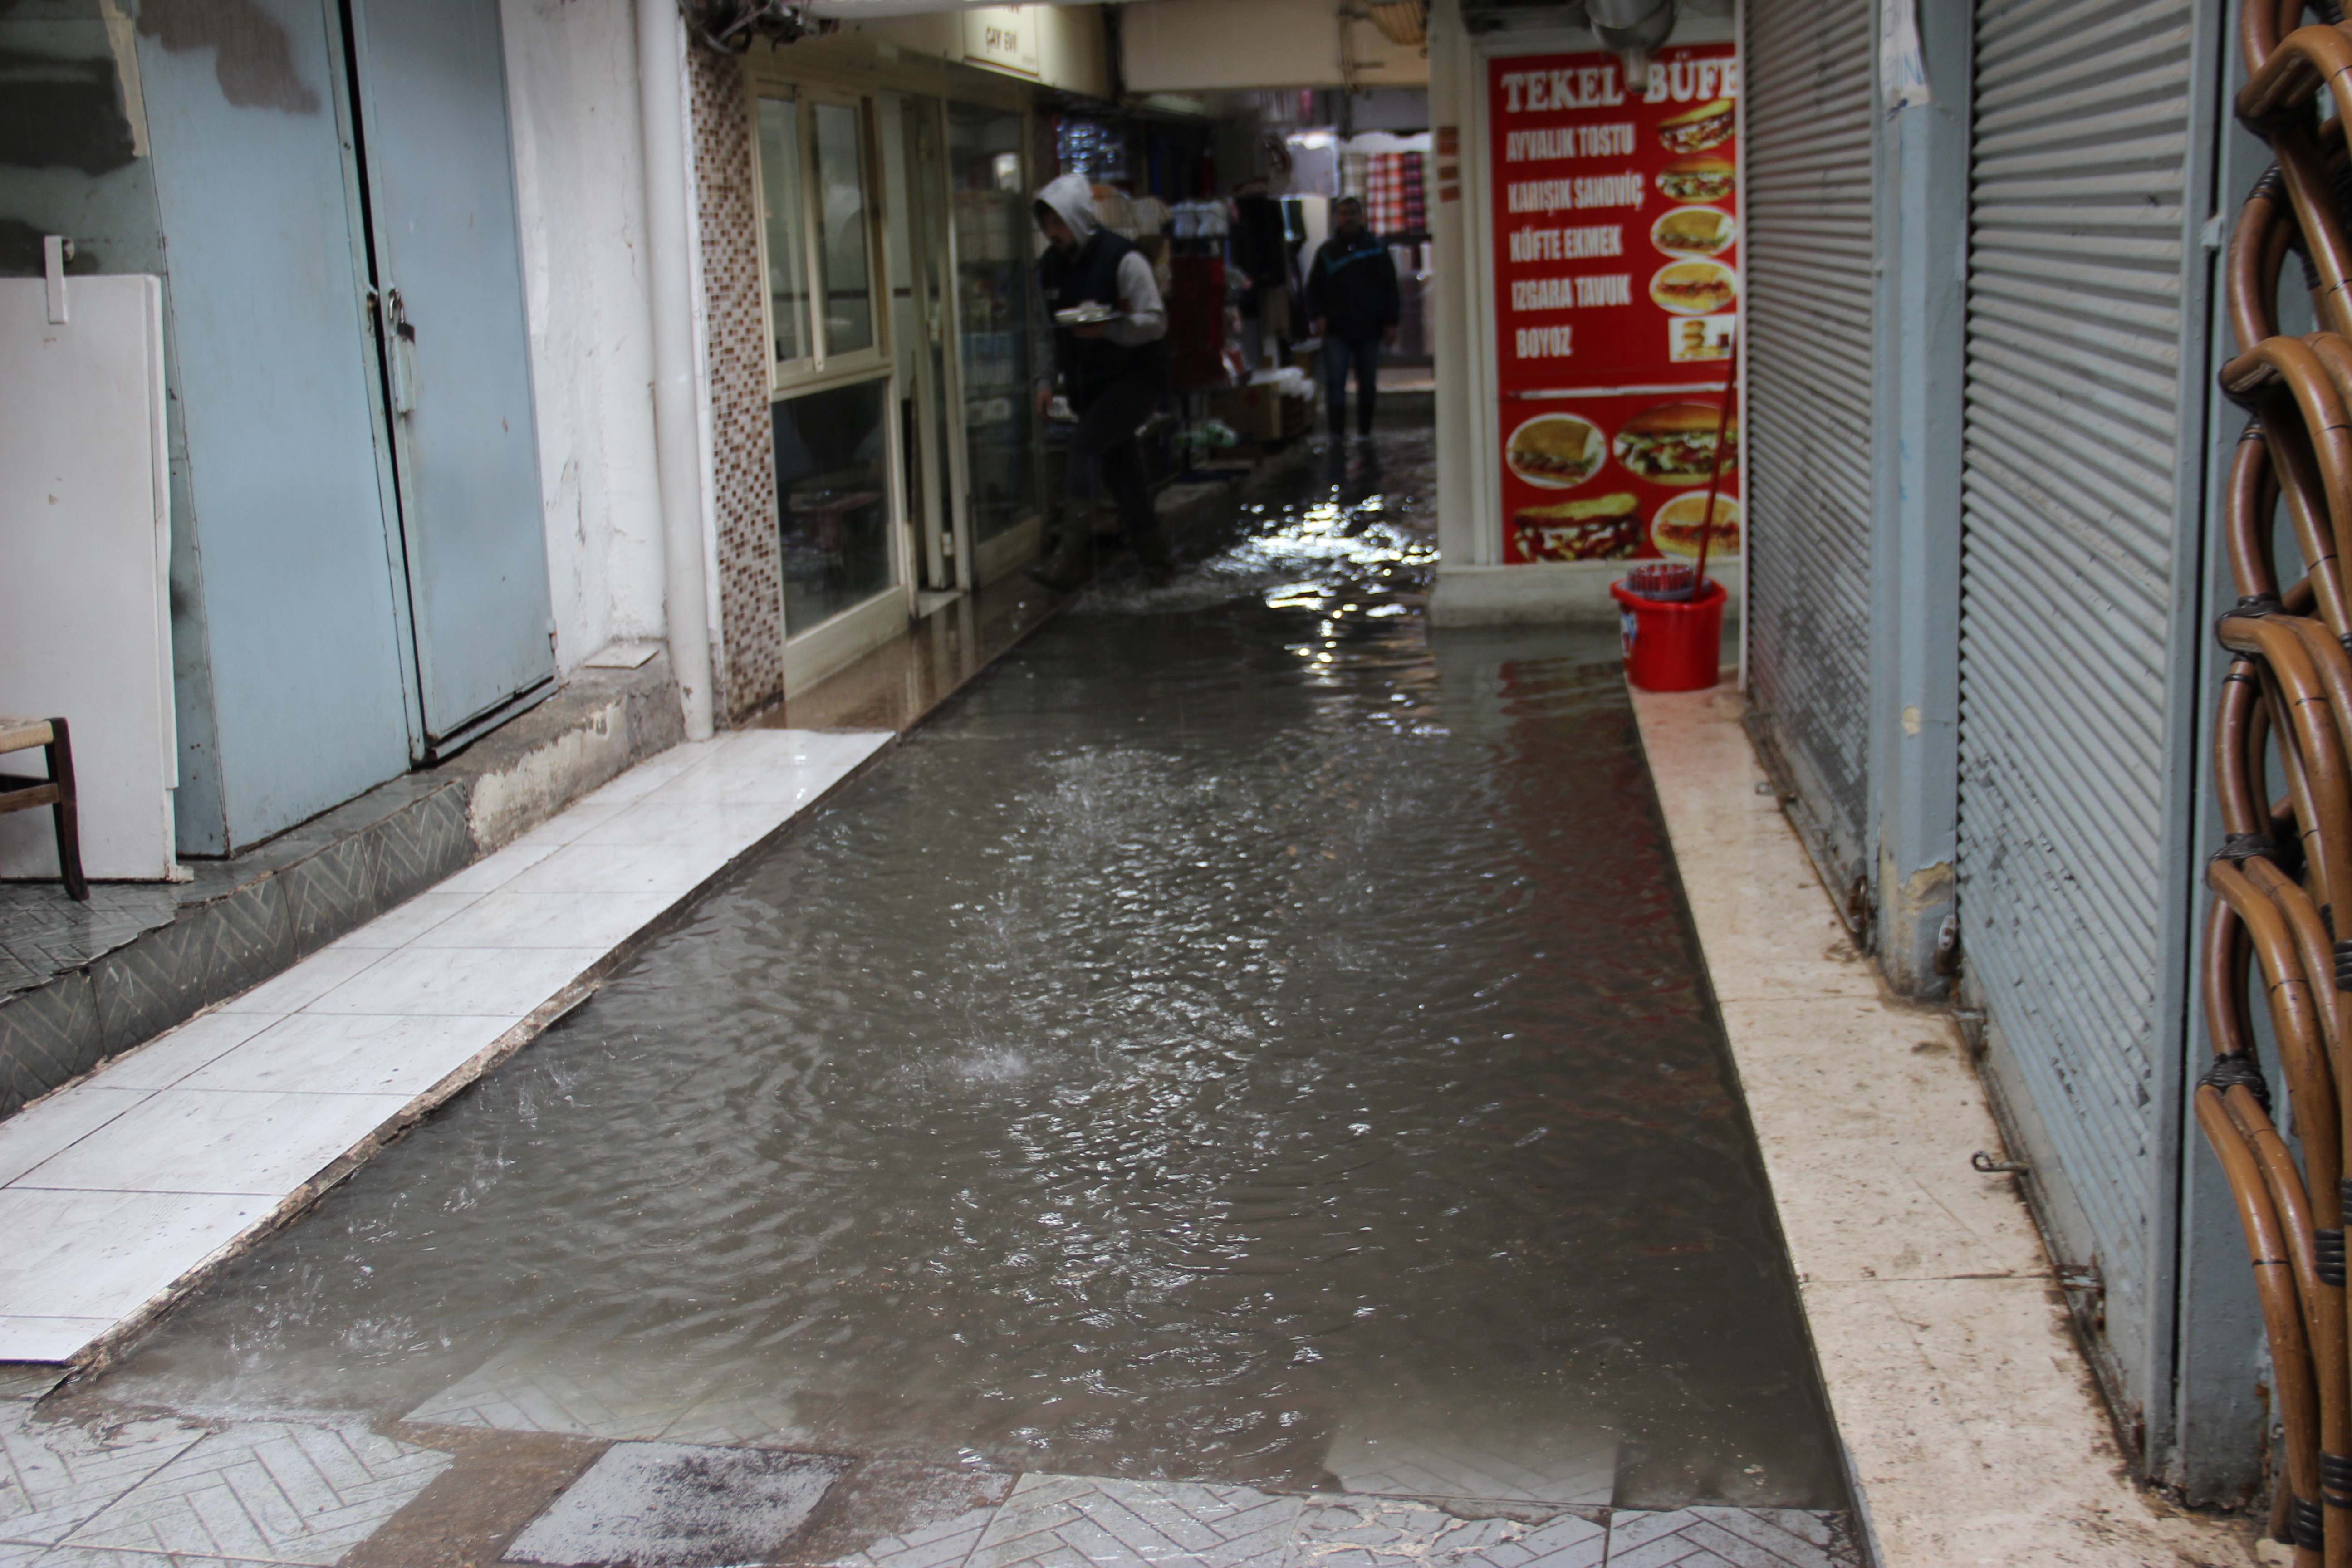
(2283, 758)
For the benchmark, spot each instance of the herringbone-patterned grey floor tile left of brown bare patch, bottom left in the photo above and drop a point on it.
(272, 1494)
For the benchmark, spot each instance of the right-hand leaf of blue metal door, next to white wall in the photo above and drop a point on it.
(441, 194)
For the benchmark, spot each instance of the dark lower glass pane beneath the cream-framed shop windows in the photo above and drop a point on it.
(834, 500)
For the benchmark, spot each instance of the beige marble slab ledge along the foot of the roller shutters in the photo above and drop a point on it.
(1972, 1428)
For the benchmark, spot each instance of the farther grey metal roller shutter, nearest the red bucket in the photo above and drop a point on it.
(1810, 283)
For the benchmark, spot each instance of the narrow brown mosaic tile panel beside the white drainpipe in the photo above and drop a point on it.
(751, 554)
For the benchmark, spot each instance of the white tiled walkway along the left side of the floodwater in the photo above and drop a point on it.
(119, 1186)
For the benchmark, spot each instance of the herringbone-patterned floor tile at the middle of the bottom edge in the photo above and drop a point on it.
(1078, 1522)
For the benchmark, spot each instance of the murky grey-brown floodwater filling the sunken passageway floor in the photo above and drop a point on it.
(1241, 1040)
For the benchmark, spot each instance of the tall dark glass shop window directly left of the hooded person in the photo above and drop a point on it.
(996, 300)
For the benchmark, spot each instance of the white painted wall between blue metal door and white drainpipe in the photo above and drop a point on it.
(580, 182)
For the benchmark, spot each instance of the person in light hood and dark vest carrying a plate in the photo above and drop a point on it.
(1114, 373)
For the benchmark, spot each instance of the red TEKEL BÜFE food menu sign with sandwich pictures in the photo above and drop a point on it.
(1617, 241)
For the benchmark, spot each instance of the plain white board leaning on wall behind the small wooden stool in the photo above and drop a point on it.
(86, 544)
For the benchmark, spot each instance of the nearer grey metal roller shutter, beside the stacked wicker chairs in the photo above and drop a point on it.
(2069, 514)
